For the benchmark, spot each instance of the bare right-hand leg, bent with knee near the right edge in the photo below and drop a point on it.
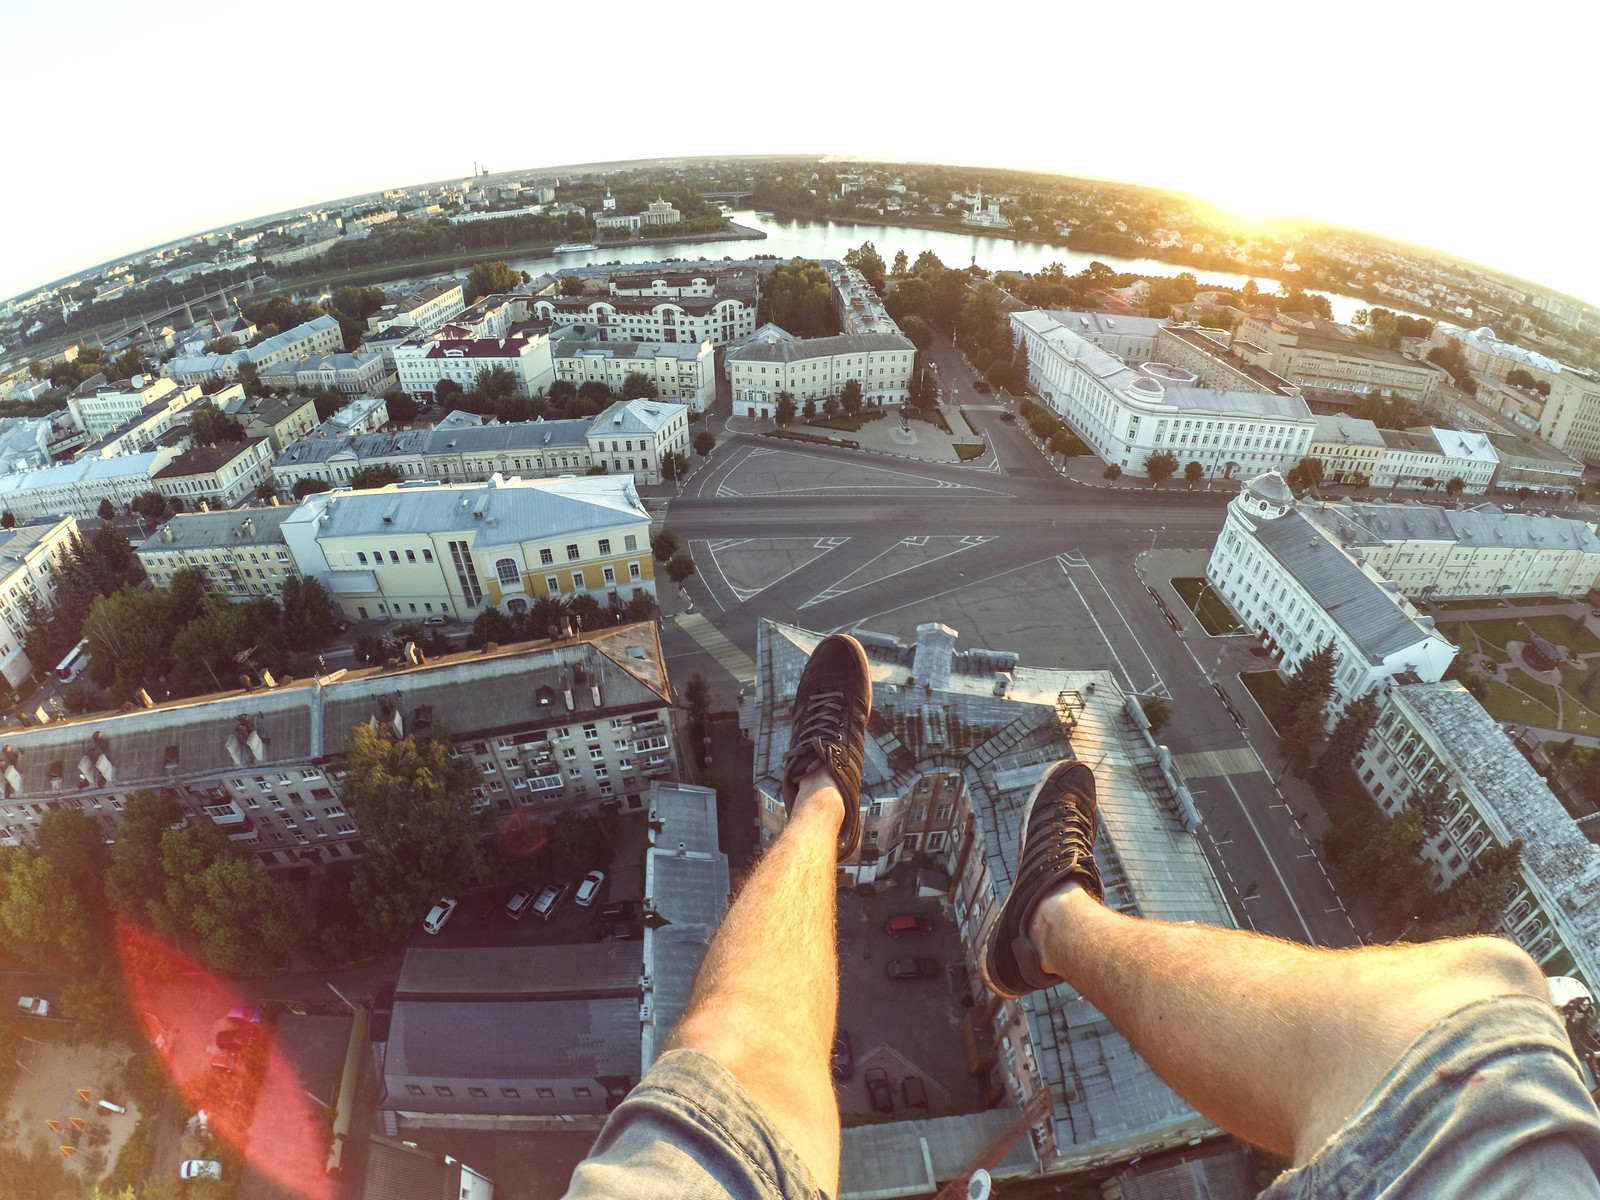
(1276, 1042)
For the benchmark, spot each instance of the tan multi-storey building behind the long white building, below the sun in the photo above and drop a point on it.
(1314, 353)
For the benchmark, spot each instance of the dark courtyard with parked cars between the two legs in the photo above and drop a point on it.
(908, 1028)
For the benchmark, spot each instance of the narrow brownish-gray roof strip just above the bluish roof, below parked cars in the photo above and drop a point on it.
(586, 972)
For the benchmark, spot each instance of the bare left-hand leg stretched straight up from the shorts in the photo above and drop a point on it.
(767, 996)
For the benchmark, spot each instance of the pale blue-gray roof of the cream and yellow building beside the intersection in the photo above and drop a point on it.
(505, 513)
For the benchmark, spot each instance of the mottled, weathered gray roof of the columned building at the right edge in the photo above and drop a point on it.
(1516, 802)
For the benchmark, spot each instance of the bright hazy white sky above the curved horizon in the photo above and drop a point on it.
(1463, 127)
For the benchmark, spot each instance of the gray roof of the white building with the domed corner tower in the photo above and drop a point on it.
(1369, 612)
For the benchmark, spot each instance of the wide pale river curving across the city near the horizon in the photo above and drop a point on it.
(831, 239)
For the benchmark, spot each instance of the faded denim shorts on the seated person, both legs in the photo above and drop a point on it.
(1487, 1105)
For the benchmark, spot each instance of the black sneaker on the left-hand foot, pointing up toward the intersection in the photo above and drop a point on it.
(833, 705)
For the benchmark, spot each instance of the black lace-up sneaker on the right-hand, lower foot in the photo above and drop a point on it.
(1057, 846)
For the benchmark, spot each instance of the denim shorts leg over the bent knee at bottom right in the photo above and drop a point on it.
(1486, 1105)
